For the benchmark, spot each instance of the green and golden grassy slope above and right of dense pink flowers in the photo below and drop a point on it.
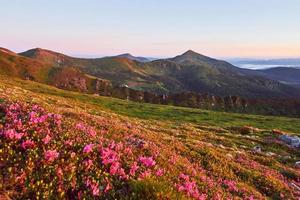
(182, 132)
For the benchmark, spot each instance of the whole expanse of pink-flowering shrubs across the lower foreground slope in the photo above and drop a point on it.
(50, 156)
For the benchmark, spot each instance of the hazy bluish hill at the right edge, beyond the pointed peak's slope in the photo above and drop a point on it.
(287, 75)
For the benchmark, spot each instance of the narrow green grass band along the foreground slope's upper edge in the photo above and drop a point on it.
(165, 112)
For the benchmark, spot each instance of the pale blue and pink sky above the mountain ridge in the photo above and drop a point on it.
(153, 28)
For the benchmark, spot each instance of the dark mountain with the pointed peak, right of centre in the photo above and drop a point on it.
(199, 73)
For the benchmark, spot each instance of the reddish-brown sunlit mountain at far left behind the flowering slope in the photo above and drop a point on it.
(46, 66)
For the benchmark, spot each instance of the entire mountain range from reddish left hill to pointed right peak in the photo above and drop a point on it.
(189, 72)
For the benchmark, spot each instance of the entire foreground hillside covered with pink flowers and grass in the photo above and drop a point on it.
(99, 147)
